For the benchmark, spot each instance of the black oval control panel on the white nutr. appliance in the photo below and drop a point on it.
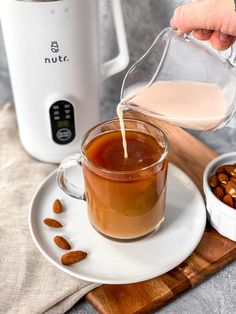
(62, 122)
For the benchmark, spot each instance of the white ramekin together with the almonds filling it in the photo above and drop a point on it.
(219, 185)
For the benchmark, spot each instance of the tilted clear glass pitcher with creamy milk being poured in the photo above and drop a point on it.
(182, 81)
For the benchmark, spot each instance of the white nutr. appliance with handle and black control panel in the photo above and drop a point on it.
(54, 62)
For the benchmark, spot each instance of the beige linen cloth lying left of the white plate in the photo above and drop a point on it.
(28, 282)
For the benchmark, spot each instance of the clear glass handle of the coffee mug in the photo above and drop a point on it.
(66, 186)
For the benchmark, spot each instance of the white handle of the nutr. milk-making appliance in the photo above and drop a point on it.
(121, 61)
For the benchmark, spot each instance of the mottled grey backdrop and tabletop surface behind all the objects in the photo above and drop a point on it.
(143, 20)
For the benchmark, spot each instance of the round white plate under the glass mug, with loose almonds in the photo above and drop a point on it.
(114, 262)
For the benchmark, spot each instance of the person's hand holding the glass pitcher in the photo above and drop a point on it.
(213, 20)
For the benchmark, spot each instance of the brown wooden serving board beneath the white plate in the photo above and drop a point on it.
(213, 252)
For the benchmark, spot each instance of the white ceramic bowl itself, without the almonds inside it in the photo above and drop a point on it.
(221, 216)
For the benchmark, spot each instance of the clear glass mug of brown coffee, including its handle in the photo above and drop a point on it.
(122, 204)
